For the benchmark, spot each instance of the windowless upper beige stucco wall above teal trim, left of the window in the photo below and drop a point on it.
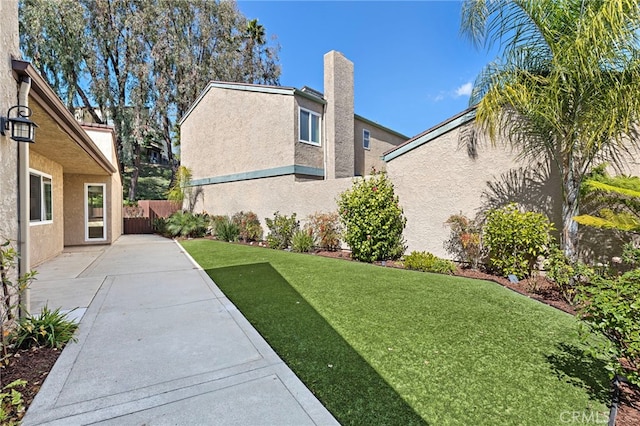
(234, 131)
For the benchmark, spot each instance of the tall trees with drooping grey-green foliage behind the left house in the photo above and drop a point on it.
(141, 64)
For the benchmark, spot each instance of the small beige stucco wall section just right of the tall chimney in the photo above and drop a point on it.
(380, 141)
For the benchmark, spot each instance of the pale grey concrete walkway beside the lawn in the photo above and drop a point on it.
(159, 343)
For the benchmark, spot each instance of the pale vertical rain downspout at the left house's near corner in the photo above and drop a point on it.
(24, 203)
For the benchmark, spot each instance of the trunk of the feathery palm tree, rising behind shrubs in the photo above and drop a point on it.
(570, 209)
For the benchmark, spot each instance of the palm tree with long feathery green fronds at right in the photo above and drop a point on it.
(566, 86)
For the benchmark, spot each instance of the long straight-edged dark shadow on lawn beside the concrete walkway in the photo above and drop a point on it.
(345, 383)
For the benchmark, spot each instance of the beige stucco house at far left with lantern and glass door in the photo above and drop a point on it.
(64, 189)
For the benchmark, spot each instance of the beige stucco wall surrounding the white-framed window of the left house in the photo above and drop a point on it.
(47, 240)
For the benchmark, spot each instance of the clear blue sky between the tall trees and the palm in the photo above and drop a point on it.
(413, 69)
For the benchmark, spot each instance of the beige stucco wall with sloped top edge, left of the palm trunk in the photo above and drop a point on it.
(439, 179)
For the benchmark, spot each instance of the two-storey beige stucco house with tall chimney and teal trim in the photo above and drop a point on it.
(268, 148)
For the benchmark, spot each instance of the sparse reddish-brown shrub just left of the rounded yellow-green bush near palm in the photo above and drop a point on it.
(465, 240)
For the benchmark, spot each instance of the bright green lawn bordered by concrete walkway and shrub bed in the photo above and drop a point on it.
(386, 346)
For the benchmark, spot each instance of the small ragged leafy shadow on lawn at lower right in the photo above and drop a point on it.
(576, 366)
